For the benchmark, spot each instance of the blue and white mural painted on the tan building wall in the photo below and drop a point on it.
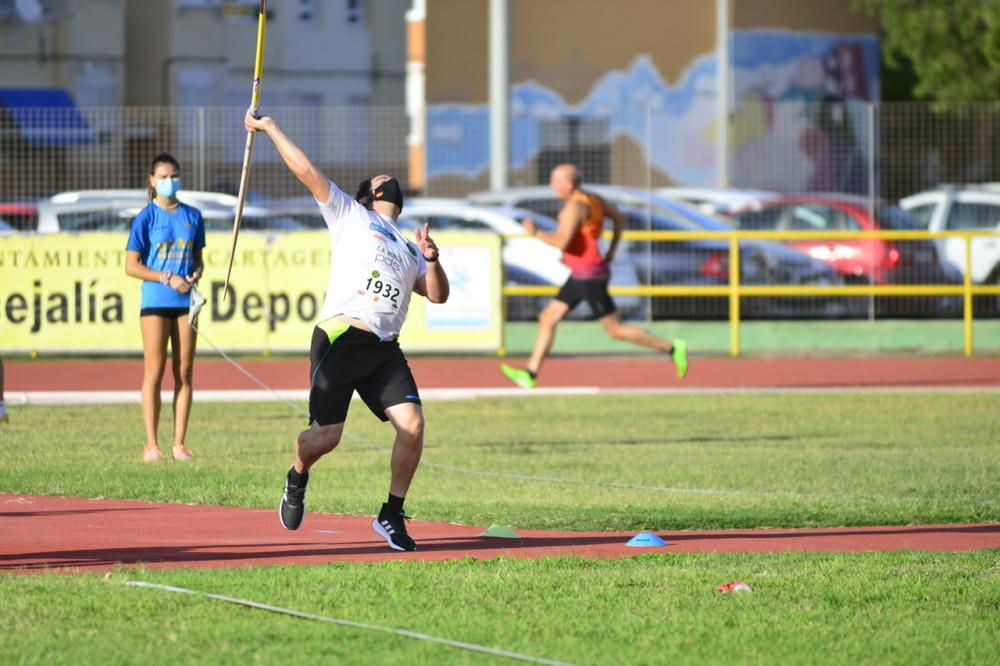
(790, 129)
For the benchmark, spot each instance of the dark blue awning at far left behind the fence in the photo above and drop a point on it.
(46, 116)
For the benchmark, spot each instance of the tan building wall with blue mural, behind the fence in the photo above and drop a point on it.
(631, 90)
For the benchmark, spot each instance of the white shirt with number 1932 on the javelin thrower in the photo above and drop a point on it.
(373, 268)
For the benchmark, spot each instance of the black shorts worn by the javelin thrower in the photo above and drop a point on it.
(346, 359)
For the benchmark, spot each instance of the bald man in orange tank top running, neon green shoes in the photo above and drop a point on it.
(581, 223)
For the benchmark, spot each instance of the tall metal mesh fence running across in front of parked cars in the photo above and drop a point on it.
(867, 155)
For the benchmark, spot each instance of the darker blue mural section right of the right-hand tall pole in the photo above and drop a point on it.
(799, 118)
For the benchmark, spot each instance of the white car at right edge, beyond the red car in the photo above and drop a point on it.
(959, 208)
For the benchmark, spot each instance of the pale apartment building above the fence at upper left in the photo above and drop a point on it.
(106, 53)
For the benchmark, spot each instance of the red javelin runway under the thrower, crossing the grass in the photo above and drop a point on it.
(39, 533)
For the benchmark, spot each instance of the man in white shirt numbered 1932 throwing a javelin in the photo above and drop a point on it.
(355, 347)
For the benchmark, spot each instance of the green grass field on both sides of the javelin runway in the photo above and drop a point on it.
(622, 462)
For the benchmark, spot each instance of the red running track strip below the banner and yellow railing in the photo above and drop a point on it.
(602, 372)
